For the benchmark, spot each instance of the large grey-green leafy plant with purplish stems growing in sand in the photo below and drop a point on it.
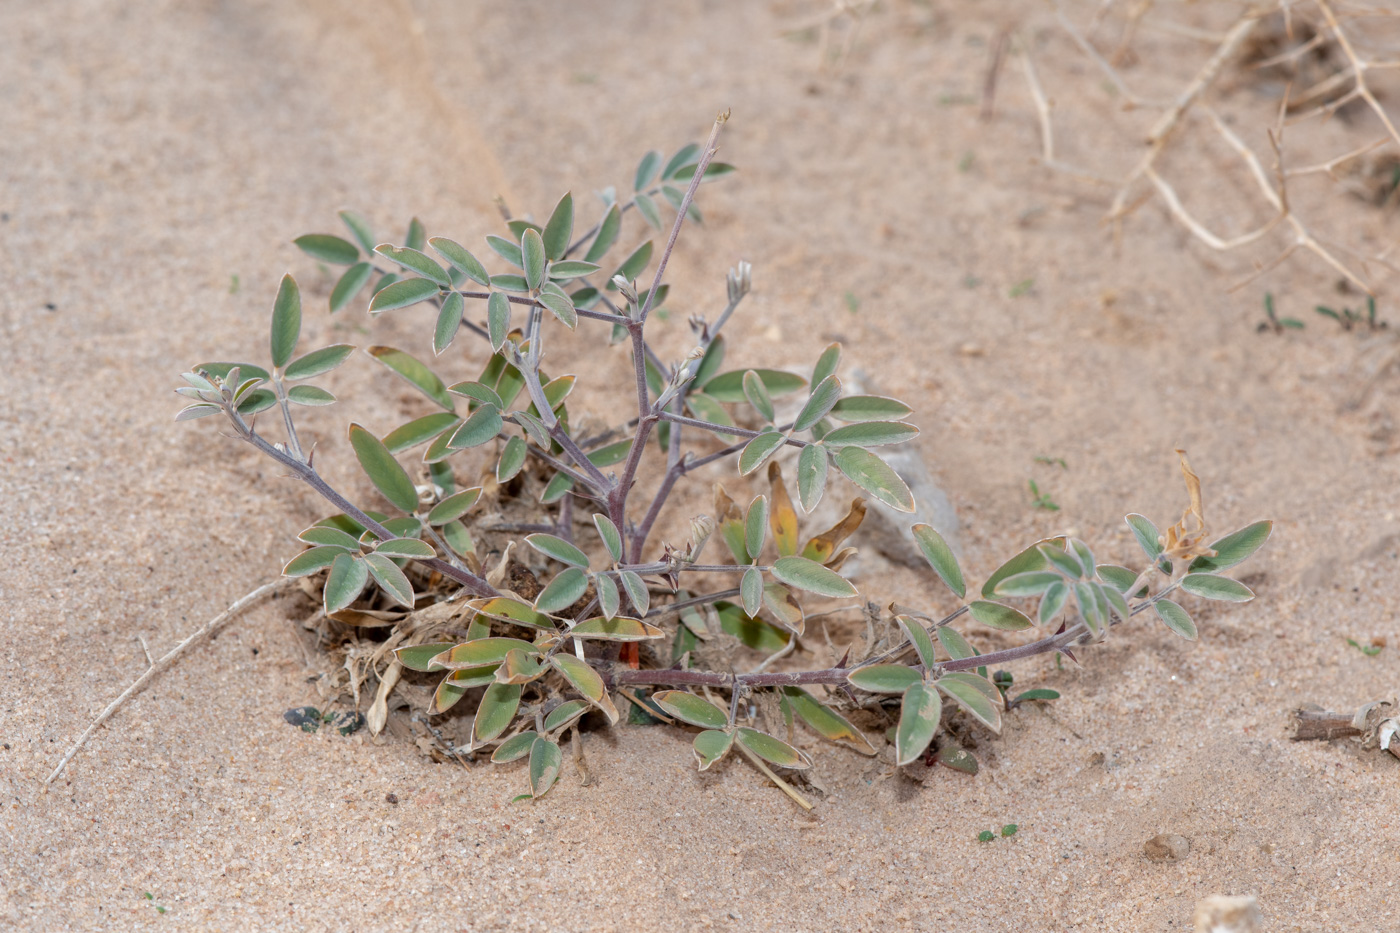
(537, 656)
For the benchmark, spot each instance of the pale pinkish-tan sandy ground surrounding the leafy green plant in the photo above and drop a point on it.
(155, 155)
